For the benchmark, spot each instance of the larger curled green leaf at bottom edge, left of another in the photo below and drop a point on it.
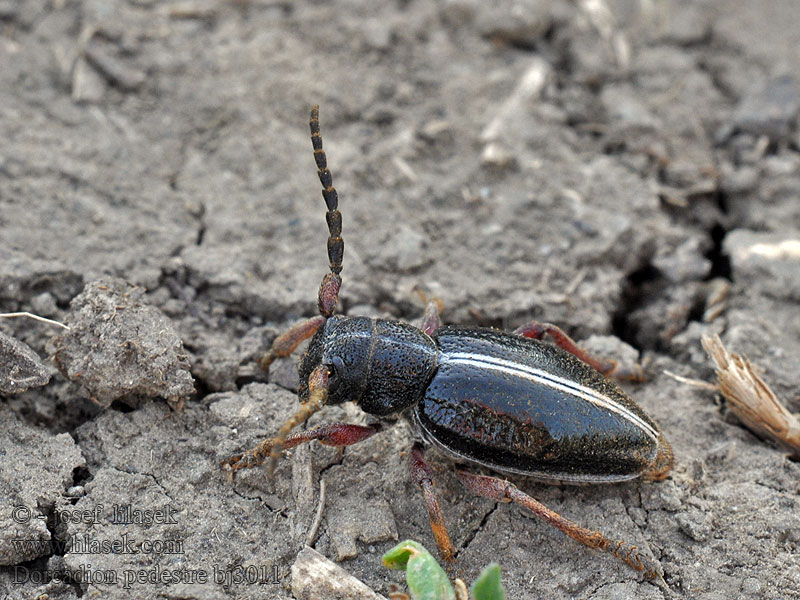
(425, 578)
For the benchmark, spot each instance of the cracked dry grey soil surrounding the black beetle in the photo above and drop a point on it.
(612, 167)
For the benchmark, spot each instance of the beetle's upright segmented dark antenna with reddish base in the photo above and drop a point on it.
(329, 289)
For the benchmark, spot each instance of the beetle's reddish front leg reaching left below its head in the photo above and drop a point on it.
(334, 434)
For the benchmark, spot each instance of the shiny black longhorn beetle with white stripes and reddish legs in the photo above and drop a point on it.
(508, 402)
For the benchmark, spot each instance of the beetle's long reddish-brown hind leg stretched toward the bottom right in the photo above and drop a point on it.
(504, 491)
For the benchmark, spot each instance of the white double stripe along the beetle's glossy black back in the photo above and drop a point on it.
(550, 380)
